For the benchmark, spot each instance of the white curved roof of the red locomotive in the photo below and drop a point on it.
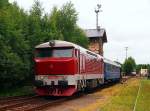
(60, 43)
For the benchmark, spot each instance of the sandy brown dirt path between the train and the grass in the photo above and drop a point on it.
(94, 101)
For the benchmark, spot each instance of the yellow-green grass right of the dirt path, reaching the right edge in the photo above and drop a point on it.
(125, 99)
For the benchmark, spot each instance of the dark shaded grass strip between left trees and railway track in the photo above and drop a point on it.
(20, 91)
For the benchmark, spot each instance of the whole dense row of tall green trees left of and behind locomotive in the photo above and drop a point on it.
(21, 31)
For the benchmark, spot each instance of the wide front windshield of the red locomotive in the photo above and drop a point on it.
(57, 52)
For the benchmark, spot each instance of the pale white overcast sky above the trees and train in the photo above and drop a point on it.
(127, 24)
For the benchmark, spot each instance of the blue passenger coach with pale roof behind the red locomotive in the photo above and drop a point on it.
(112, 70)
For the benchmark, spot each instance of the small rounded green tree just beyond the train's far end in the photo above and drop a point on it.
(129, 66)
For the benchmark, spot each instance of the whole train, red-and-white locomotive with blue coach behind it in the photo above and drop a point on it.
(63, 68)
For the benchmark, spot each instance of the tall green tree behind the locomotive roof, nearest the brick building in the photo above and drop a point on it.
(63, 23)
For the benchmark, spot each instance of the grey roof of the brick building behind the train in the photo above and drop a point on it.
(92, 33)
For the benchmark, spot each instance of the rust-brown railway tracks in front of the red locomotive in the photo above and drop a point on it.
(34, 104)
